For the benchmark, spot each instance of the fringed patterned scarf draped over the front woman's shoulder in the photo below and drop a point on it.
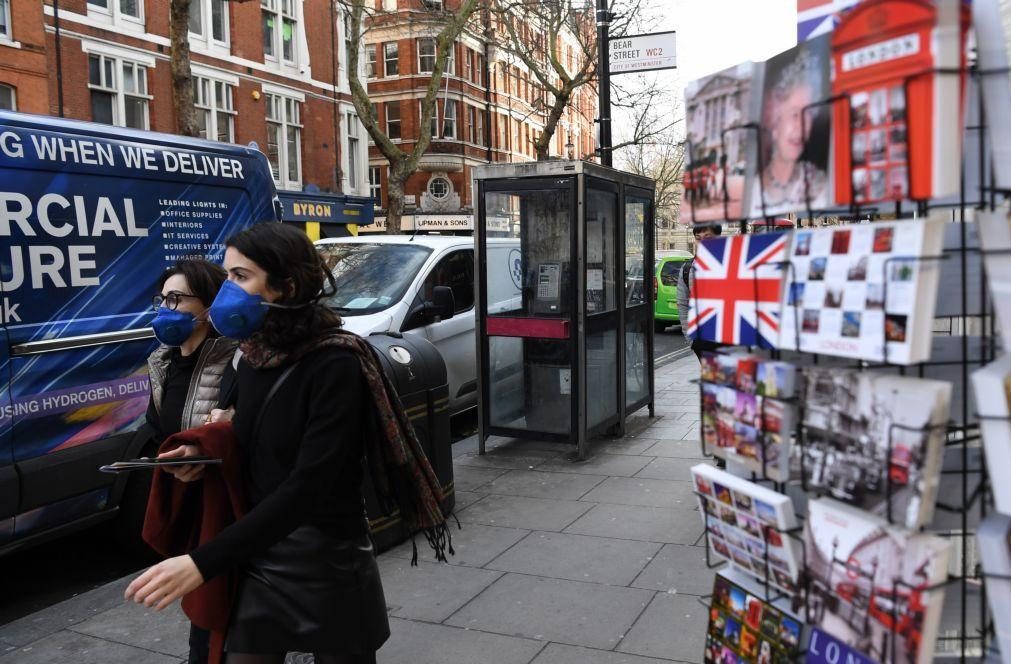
(402, 475)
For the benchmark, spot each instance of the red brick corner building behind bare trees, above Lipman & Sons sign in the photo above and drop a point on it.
(486, 113)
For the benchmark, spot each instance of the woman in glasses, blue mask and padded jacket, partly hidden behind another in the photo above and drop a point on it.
(190, 369)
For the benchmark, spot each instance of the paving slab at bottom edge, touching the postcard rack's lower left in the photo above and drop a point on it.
(674, 627)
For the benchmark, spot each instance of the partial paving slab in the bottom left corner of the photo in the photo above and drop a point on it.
(71, 648)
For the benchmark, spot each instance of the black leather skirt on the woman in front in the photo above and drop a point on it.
(311, 593)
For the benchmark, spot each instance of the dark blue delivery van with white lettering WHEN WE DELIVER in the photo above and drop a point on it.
(90, 216)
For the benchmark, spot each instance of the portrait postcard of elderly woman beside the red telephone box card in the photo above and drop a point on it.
(790, 169)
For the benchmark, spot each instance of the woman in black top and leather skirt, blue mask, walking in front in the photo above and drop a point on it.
(314, 410)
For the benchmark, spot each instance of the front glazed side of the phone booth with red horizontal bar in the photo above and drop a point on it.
(529, 341)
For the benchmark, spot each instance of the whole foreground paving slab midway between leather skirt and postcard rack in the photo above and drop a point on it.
(554, 610)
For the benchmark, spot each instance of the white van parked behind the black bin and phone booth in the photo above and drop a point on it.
(423, 286)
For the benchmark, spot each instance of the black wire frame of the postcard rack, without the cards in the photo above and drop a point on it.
(972, 499)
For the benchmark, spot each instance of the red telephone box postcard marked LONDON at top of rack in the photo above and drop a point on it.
(889, 147)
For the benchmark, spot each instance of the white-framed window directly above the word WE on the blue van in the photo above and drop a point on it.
(119, 92)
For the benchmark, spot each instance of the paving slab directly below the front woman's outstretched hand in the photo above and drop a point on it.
(164, 632)
